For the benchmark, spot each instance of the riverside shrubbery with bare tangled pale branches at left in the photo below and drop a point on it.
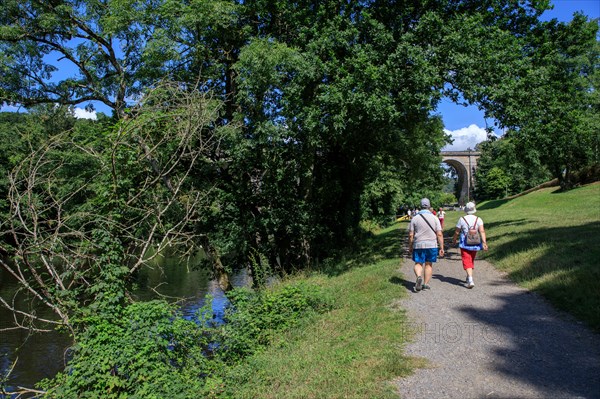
(87, 207)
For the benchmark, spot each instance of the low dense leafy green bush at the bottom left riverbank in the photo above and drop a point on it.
(144, 350)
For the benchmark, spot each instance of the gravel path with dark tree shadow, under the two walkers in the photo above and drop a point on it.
(496, 340)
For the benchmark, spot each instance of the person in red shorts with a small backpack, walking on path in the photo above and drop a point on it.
(472, 239)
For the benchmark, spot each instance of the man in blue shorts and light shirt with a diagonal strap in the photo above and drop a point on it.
(424, 238)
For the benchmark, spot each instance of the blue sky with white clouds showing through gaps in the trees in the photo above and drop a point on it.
(466, 125)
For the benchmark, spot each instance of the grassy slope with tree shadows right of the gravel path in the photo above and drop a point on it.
(549, 242)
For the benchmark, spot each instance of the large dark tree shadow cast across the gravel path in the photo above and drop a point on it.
(531, 342)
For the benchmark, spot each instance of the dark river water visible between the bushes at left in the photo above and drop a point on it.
(41, 355)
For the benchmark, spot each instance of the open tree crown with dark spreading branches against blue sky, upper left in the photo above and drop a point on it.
(108, 46)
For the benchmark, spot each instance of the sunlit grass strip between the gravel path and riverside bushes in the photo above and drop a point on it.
(354, 351)
